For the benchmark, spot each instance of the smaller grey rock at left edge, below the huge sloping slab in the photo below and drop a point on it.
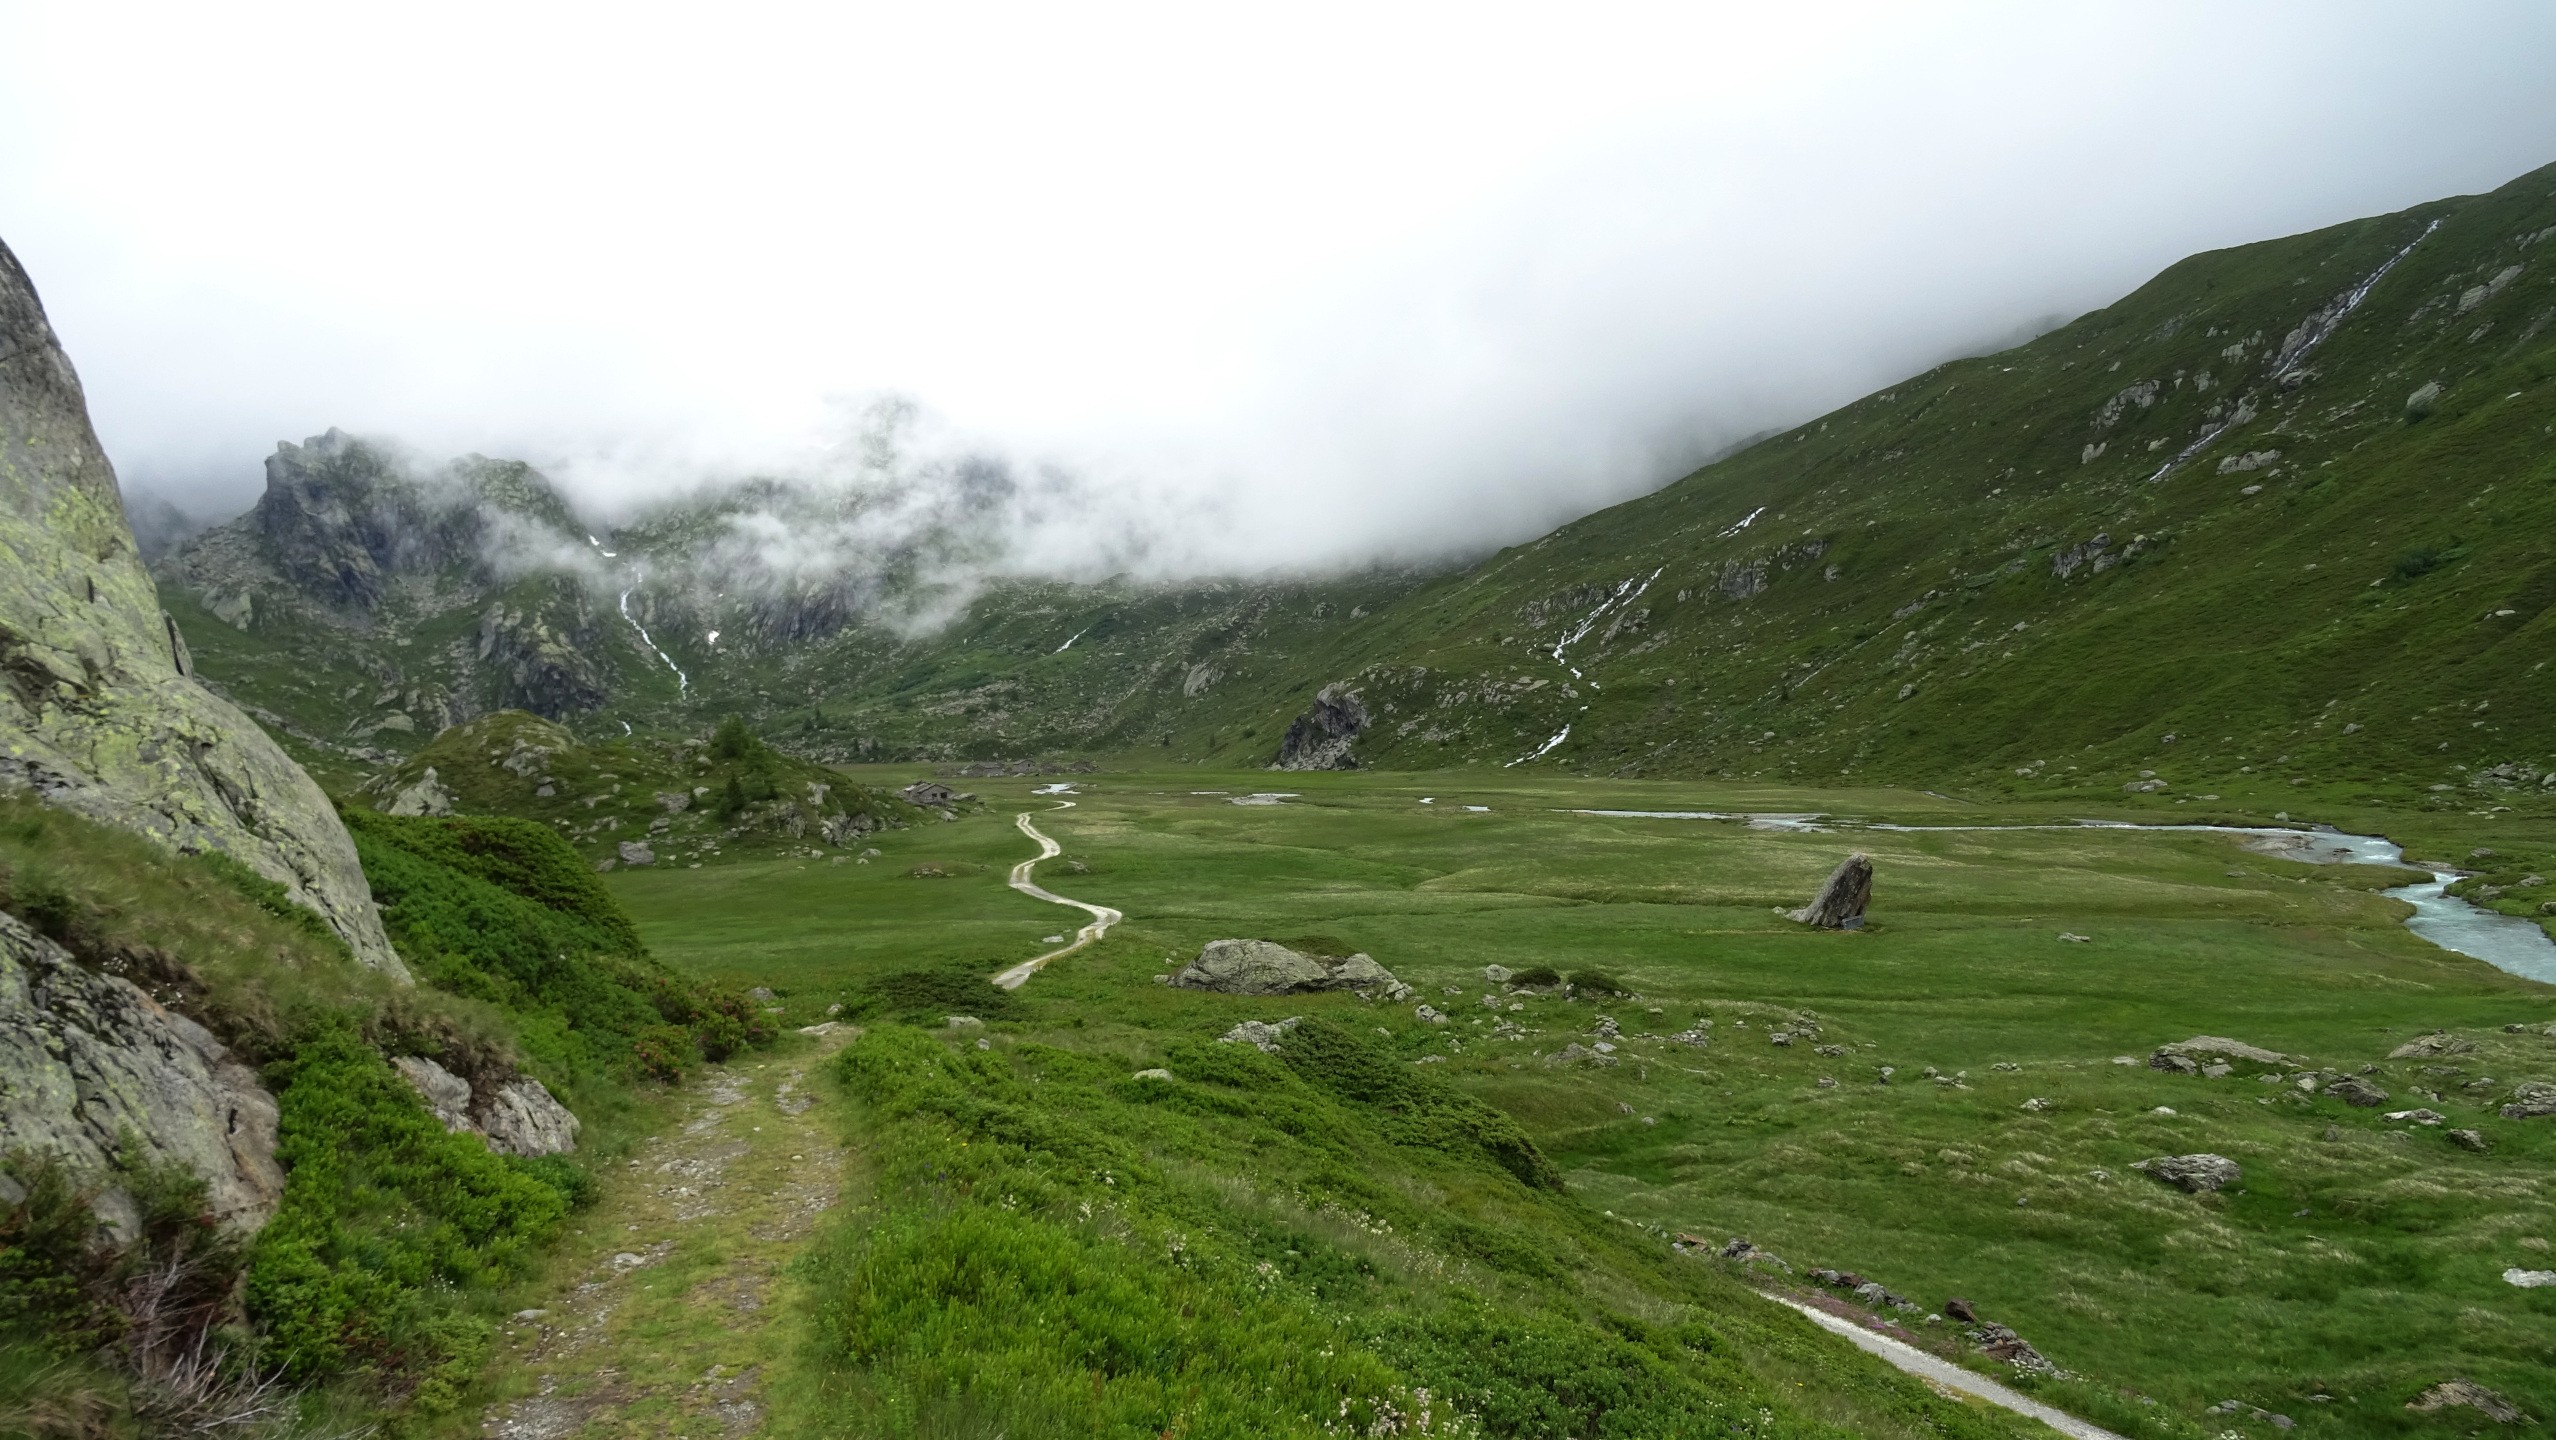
(91, 1060)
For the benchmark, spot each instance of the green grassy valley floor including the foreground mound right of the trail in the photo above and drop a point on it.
(2353, 1267)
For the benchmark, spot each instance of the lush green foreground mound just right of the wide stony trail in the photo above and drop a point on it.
(1305, 1244)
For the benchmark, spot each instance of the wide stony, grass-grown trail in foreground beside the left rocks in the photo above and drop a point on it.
(668, 1293)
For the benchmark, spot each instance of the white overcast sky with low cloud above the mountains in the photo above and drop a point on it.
(1284, 285)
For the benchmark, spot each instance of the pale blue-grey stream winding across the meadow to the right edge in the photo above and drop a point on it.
(2506, 943)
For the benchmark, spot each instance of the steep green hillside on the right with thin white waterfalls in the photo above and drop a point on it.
(1990, 572)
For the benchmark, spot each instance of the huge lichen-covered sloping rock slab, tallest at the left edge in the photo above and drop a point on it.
(98, 702)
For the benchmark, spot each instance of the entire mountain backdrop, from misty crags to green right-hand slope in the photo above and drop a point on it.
(2281, 513)
